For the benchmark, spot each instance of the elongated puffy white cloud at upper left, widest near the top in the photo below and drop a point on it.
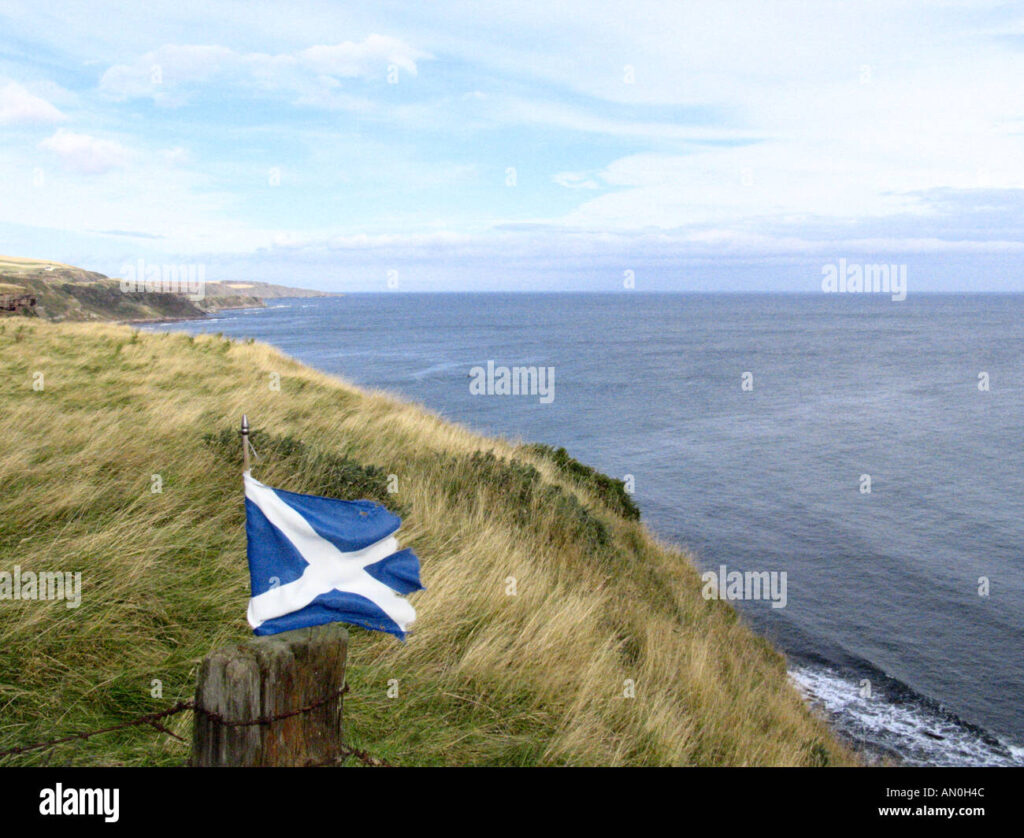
(310, 74)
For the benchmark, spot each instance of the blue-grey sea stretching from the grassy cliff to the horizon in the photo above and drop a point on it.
(883, 588)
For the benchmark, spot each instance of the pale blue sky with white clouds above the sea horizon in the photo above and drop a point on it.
(519, 146)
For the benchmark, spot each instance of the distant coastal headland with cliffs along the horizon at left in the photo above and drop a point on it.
(62, 292)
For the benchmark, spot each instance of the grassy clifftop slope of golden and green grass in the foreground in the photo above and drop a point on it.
(487, 678)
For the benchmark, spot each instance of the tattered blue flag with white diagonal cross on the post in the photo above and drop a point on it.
(315, 561)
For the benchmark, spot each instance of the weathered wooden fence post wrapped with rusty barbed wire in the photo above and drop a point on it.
(270, 678)
